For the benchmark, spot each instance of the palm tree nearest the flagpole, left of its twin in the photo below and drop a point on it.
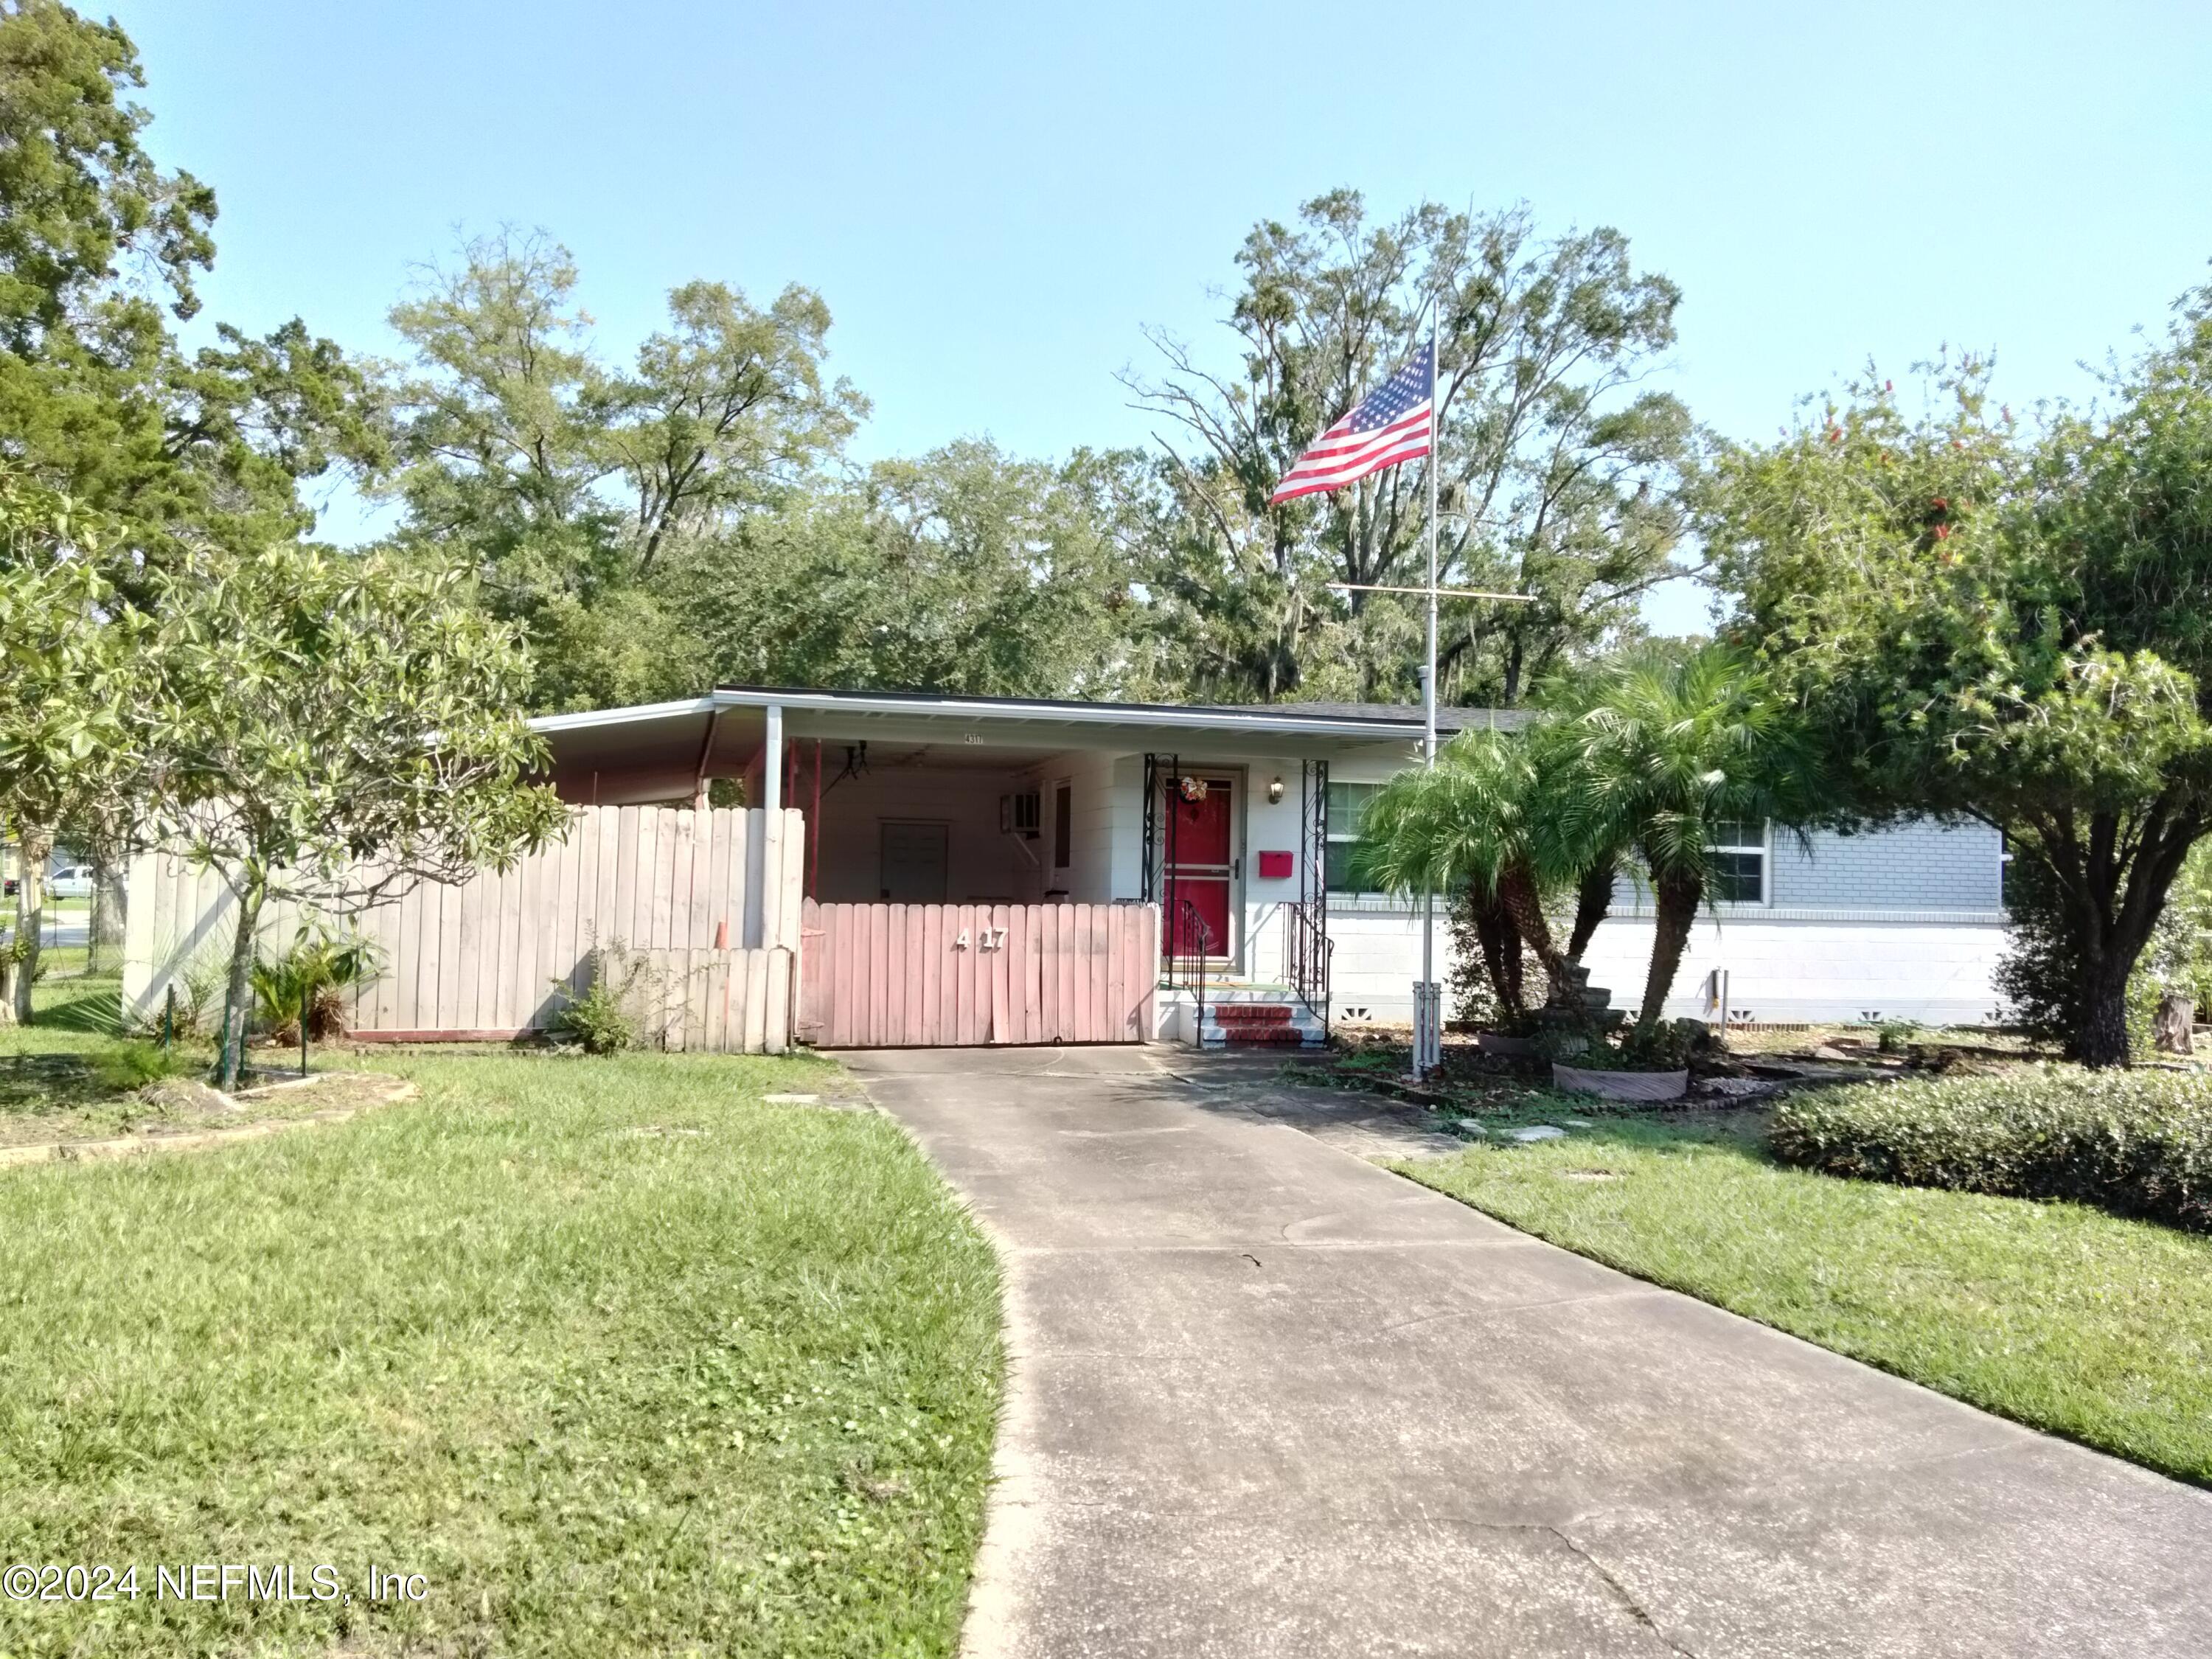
(1479, 820)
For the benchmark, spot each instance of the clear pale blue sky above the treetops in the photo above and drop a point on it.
(997, 198)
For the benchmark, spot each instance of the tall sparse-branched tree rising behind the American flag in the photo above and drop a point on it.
(1563, 468)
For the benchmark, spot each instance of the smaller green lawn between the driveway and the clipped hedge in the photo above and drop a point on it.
(2054, 1315)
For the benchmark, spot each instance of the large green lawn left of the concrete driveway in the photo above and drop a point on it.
(618, 1357)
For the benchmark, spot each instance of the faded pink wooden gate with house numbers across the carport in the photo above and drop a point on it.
(961, 977)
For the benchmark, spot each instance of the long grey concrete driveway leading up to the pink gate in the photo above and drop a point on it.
(1275, 1401)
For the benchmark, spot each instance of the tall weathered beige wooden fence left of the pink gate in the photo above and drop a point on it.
(700, 910)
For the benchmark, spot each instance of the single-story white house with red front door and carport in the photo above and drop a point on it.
(1240, 826)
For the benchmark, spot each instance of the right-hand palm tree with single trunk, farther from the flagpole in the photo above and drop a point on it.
(1662, 755)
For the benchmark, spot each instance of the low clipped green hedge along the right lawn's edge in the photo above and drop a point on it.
(2133, 1142)
